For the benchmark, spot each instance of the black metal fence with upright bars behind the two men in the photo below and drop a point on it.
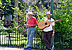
(18, 38)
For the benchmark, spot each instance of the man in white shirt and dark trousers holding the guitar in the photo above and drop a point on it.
(48, 32)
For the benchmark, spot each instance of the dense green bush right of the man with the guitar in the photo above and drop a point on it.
(65, 26)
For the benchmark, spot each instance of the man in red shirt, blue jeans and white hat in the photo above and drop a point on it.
(31, 23)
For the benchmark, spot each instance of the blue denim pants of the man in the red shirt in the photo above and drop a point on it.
(30, 34)
